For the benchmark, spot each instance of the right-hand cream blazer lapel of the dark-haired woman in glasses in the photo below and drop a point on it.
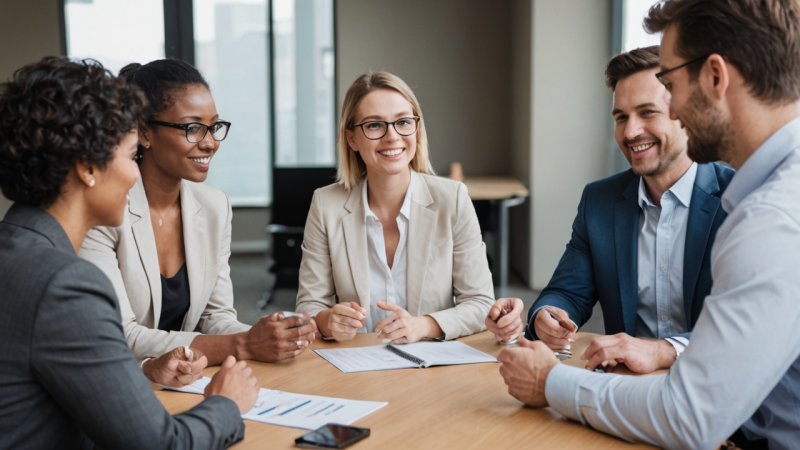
(194, 235)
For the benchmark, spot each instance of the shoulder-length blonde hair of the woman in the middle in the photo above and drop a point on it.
(351, 168)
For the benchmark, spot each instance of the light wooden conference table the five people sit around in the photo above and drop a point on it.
(448, 407)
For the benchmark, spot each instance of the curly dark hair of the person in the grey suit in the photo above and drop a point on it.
(55, 113)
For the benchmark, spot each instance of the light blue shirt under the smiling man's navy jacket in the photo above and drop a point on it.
(662, 237)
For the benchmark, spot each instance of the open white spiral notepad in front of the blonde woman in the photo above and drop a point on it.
(403, 356)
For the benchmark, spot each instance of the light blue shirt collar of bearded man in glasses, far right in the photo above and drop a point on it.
(760, 165)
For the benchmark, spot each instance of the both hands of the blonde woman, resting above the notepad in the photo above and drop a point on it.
(344, 320)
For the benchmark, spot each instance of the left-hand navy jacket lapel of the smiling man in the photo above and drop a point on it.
(626, 220)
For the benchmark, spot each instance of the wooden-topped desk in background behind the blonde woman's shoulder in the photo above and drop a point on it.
(501, 193)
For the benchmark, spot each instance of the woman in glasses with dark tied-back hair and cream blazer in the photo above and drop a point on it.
(169, 260)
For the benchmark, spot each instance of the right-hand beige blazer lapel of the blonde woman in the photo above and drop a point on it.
(418, 246)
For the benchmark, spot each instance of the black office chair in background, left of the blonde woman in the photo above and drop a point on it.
(292, 189)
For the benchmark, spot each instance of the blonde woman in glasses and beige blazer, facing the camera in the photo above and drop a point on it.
(390, 247)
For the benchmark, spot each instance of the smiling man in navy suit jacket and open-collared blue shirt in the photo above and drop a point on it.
(641, 240)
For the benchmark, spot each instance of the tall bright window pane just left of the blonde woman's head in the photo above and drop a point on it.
(305, 105)
